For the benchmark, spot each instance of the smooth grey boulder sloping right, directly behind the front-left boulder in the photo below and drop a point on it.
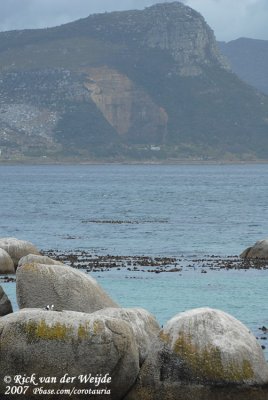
(66, 288)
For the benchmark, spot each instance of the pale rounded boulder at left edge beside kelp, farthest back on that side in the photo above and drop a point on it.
(17, 248)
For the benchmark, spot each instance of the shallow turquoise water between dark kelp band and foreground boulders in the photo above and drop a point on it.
(242, 294)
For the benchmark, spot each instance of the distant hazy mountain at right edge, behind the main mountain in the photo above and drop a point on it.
(249, 60)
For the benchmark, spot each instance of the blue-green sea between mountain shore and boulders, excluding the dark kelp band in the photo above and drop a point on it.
(182, 211)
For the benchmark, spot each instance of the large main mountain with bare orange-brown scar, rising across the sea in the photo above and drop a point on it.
(131, 85)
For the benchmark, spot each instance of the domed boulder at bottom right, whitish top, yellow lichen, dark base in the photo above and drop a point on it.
(203, 354)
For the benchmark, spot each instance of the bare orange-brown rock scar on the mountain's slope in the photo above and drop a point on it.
(126, 107)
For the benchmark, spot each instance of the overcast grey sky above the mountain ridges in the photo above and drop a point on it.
(230, 19)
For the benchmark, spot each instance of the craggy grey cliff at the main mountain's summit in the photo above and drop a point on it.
(184, 33)
